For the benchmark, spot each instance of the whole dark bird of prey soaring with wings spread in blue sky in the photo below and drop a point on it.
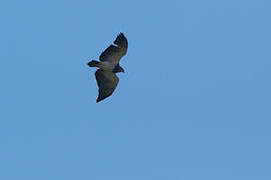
(108, 65)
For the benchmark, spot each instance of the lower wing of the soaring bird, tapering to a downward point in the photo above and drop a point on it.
(107, 82)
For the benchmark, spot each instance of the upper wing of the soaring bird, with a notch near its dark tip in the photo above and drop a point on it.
(115, 52)
